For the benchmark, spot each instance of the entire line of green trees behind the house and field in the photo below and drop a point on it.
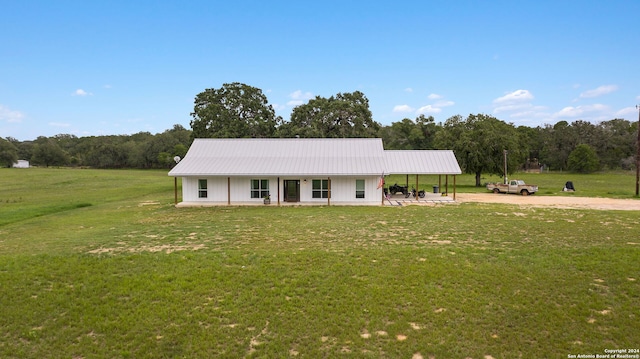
(238, 110)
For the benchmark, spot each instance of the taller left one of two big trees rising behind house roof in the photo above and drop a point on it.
(235, 110)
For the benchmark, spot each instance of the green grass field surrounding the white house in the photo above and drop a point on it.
(99, 264)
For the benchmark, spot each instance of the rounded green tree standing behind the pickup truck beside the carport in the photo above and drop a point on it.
(479, 142)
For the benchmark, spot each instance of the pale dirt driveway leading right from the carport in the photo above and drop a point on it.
(552, 201)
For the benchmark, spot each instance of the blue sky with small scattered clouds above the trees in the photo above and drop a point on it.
(120, 67)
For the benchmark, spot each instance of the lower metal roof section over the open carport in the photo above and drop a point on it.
(421, 162)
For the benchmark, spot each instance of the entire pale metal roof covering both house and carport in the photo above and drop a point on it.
(307, 156)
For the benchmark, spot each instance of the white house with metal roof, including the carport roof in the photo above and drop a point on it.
(298, 171)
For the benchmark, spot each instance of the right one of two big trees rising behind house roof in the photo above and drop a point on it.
(340, 116)
